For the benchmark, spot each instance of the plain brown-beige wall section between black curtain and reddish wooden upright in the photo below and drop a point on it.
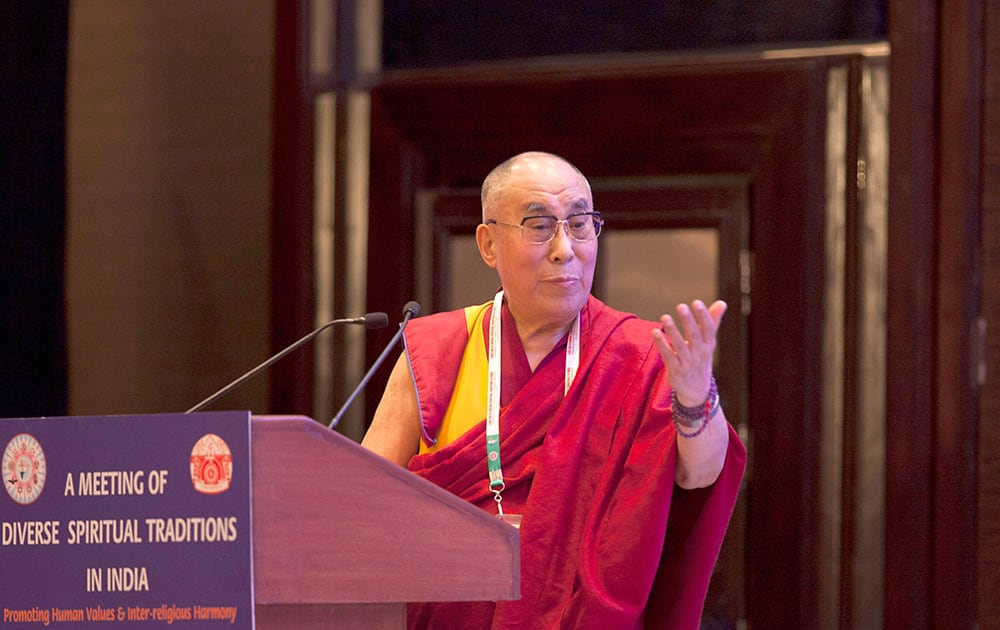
(168, 184)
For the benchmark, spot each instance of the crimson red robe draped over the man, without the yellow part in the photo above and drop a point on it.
(607, 539)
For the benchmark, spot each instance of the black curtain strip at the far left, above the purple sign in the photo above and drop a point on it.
(33, 45)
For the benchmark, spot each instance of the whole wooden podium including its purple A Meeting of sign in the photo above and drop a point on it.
(186, 519)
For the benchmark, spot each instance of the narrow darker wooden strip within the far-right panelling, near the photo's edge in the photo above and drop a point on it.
(958, 264)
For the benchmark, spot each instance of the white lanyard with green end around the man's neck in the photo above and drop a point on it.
(493, 394)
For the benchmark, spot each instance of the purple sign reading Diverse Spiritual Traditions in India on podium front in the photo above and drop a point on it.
(137, 520)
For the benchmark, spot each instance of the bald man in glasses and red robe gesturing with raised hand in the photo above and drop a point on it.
(598, 434)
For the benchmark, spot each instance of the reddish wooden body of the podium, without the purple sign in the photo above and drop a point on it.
(343, 538)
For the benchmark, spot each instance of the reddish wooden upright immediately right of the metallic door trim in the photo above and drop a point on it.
(910, 413)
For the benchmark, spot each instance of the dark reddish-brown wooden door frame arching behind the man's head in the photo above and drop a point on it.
(433, 129)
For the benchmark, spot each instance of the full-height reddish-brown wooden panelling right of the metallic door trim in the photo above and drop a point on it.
(935, 287)
